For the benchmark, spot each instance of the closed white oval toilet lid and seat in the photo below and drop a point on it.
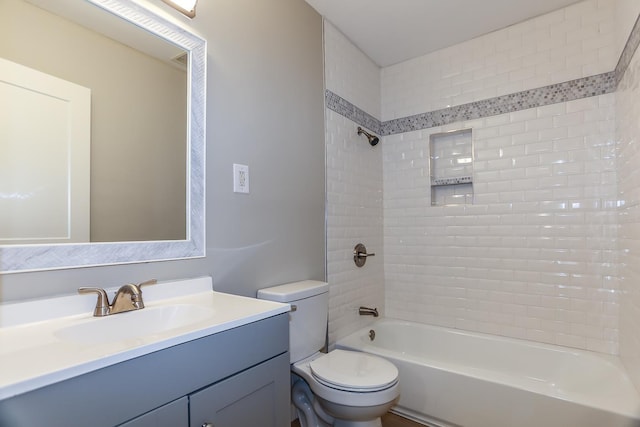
(354, 371)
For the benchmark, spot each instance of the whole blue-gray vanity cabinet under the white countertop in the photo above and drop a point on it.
(229, 379)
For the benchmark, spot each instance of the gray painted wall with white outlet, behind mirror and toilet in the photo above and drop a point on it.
(265, 109)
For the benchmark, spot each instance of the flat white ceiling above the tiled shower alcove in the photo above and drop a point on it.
(392, 31)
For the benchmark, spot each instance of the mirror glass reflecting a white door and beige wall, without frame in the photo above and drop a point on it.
(127, 181)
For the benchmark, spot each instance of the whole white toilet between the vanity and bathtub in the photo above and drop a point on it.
(340, 388)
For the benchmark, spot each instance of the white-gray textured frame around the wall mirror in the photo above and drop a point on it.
(21, 258)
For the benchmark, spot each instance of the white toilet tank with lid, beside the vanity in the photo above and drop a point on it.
(309, 301)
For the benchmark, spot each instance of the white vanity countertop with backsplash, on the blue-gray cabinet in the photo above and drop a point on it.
(34, 353)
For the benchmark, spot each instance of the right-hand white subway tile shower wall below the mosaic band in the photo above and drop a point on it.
(627, 135)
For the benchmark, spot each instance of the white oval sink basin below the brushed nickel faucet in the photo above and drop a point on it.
(136, 324)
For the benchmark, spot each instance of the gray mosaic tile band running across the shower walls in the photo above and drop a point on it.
(561, 92)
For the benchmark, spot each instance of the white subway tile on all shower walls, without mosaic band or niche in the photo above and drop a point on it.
(536, 256)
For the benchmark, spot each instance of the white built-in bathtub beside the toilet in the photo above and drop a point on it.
(455, 378)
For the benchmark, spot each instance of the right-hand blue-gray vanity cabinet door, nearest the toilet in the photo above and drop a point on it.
(258, 396)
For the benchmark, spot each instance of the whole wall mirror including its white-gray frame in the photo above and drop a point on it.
(130, 202)
